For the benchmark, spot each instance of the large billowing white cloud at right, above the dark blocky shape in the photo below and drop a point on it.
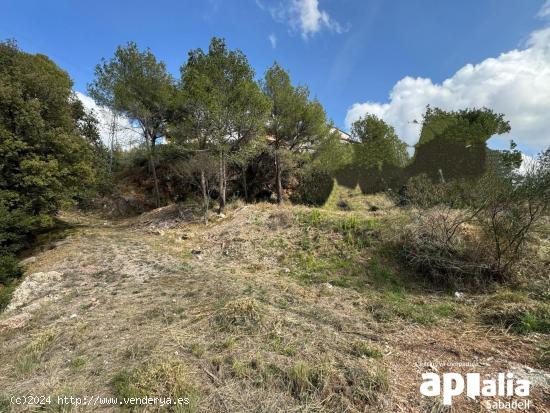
(516, 83)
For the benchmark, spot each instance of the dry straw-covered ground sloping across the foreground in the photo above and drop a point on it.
(132, 303)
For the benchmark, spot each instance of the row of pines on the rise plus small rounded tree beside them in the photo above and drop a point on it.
(227, 132)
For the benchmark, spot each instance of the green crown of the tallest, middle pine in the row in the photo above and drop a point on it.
(219, 98)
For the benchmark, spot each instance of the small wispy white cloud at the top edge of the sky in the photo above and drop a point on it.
(304, 16)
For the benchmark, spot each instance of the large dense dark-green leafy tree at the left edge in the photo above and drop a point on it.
(47, 147)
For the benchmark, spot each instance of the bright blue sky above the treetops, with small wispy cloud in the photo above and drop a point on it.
(348, 52)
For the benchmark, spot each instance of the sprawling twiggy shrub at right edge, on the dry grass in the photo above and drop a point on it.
(478, 231)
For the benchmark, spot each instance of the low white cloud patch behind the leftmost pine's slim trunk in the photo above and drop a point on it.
(126, 134)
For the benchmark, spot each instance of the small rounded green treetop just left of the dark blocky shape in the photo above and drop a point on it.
(379, 144)
